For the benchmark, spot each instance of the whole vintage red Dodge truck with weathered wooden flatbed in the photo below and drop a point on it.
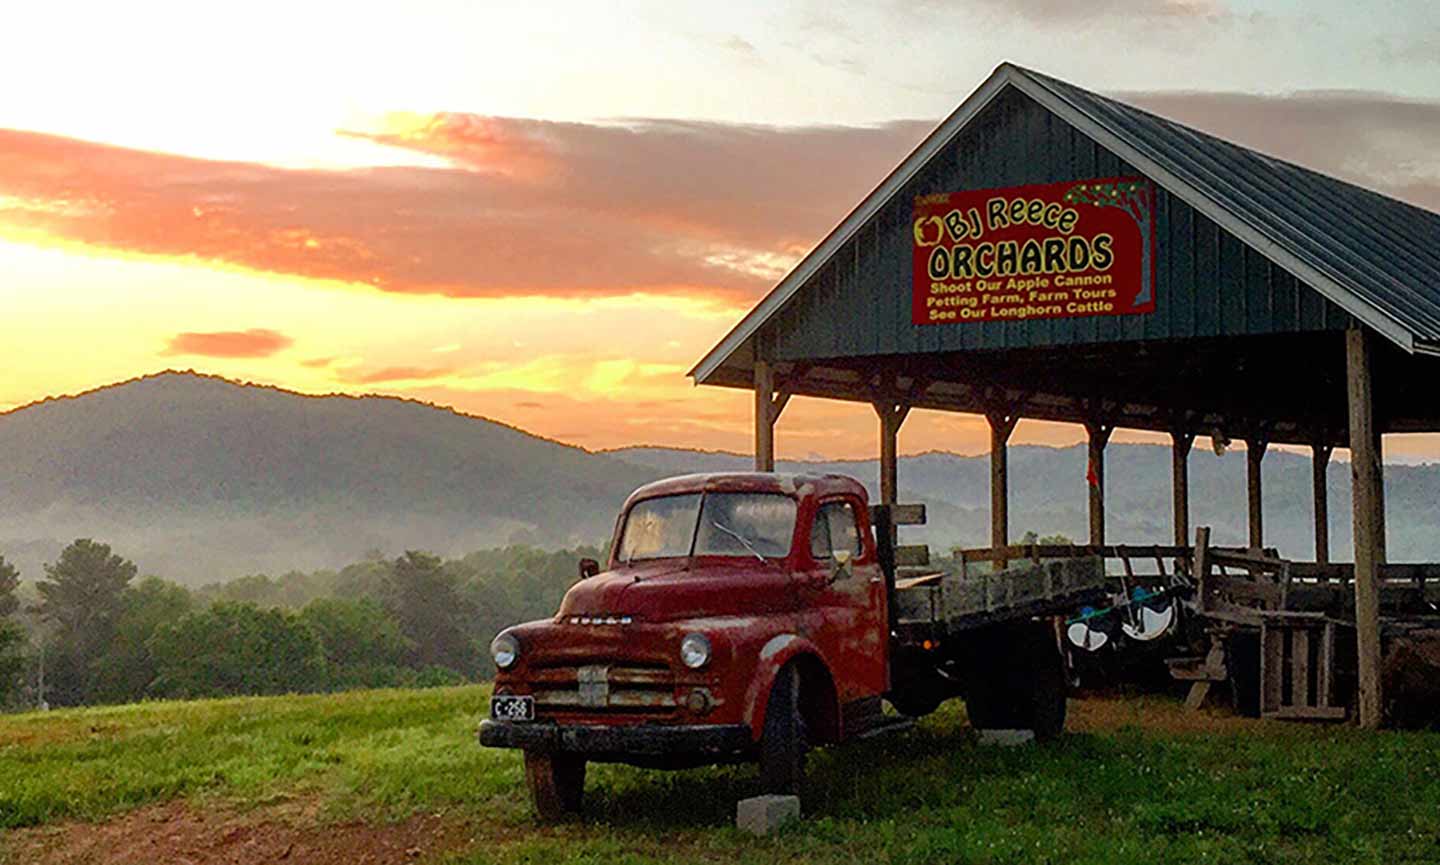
(752, 617)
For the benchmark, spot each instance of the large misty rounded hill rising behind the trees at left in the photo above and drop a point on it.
(198, 479)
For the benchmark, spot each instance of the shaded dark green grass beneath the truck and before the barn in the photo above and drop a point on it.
(1122, 795)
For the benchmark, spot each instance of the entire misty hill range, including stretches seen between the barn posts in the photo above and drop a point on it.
(198, 480)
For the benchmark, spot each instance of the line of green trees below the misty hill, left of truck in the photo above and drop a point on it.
(94, 633)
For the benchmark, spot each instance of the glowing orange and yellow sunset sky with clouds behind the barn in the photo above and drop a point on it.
(546, 214)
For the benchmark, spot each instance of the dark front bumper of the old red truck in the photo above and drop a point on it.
(703, 742)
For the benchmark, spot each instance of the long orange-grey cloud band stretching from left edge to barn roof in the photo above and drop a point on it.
(531, 209)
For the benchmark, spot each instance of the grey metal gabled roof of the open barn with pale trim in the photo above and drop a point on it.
(1374, 257)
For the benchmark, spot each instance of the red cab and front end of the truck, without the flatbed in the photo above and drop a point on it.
(722, 594)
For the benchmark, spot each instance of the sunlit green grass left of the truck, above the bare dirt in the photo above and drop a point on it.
(381, 751)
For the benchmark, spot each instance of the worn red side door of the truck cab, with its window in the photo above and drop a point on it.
(845, 611)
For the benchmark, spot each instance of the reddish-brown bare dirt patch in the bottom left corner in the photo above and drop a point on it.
(181, 834)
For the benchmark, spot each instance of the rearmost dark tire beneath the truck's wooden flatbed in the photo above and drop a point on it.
(1026, 694)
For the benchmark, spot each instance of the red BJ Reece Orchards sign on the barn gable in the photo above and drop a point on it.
(1061, 251)
